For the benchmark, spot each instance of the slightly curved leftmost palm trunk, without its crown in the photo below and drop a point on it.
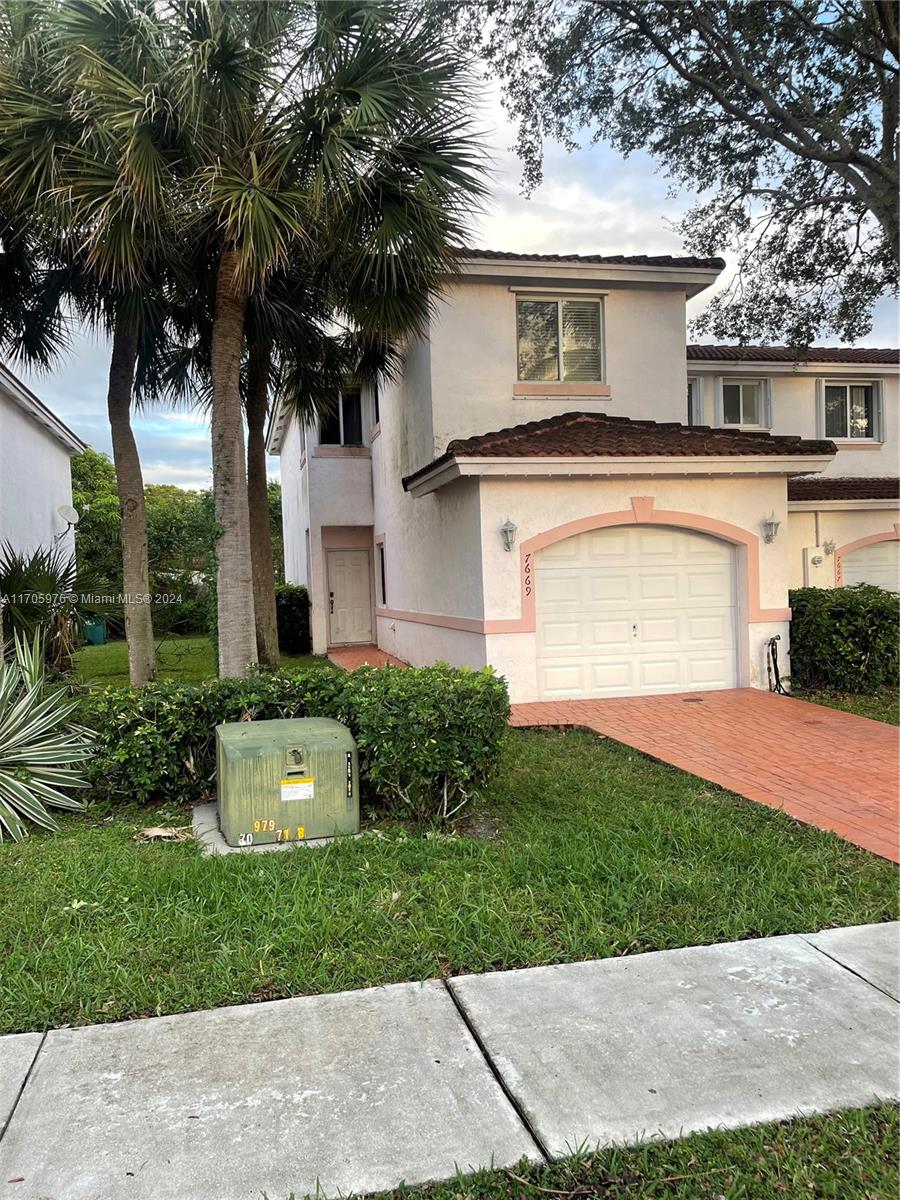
(130, 485)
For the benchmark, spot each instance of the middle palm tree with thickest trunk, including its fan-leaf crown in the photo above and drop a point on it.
(334, 129)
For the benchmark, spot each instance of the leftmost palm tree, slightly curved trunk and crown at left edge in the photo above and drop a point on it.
(99, 238)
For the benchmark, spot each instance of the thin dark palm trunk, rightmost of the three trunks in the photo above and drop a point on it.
(261, 538)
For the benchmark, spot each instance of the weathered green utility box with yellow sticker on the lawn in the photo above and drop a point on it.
(286, 781)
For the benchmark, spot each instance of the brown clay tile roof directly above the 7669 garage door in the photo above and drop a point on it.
(598, 436)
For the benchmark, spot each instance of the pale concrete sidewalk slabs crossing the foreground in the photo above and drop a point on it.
(361, 1091)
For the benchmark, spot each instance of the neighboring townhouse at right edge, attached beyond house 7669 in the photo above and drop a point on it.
(843, 524)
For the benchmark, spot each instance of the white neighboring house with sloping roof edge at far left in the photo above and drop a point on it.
(35, 470)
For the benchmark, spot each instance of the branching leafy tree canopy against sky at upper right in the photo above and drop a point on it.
(782, 116)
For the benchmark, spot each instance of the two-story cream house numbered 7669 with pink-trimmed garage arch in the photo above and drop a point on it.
(536, 491)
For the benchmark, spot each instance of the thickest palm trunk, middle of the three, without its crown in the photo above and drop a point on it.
(237, 628)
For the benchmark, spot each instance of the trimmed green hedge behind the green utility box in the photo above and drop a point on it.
(428, 737)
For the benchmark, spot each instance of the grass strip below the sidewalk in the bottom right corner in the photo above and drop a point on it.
(851, 1155)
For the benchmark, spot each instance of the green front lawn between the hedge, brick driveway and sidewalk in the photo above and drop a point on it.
(601, 853)
